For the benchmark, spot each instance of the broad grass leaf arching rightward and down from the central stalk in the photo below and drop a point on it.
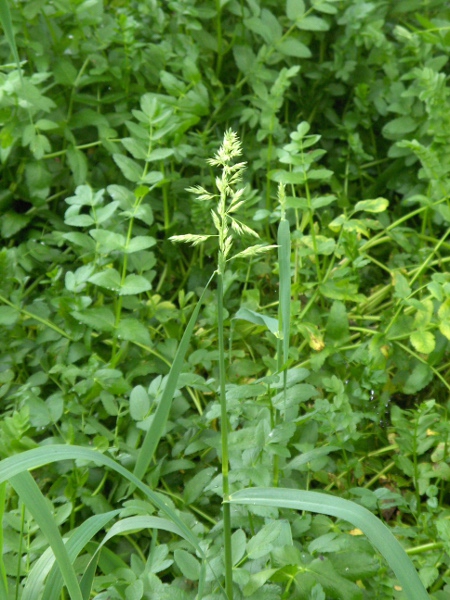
(378, 534)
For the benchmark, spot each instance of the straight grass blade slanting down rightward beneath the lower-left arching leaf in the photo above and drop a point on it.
(33, 499)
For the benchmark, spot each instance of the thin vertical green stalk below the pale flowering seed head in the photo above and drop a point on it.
(224, 436)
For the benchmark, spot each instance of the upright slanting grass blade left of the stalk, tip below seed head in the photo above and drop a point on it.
(158, 426)
